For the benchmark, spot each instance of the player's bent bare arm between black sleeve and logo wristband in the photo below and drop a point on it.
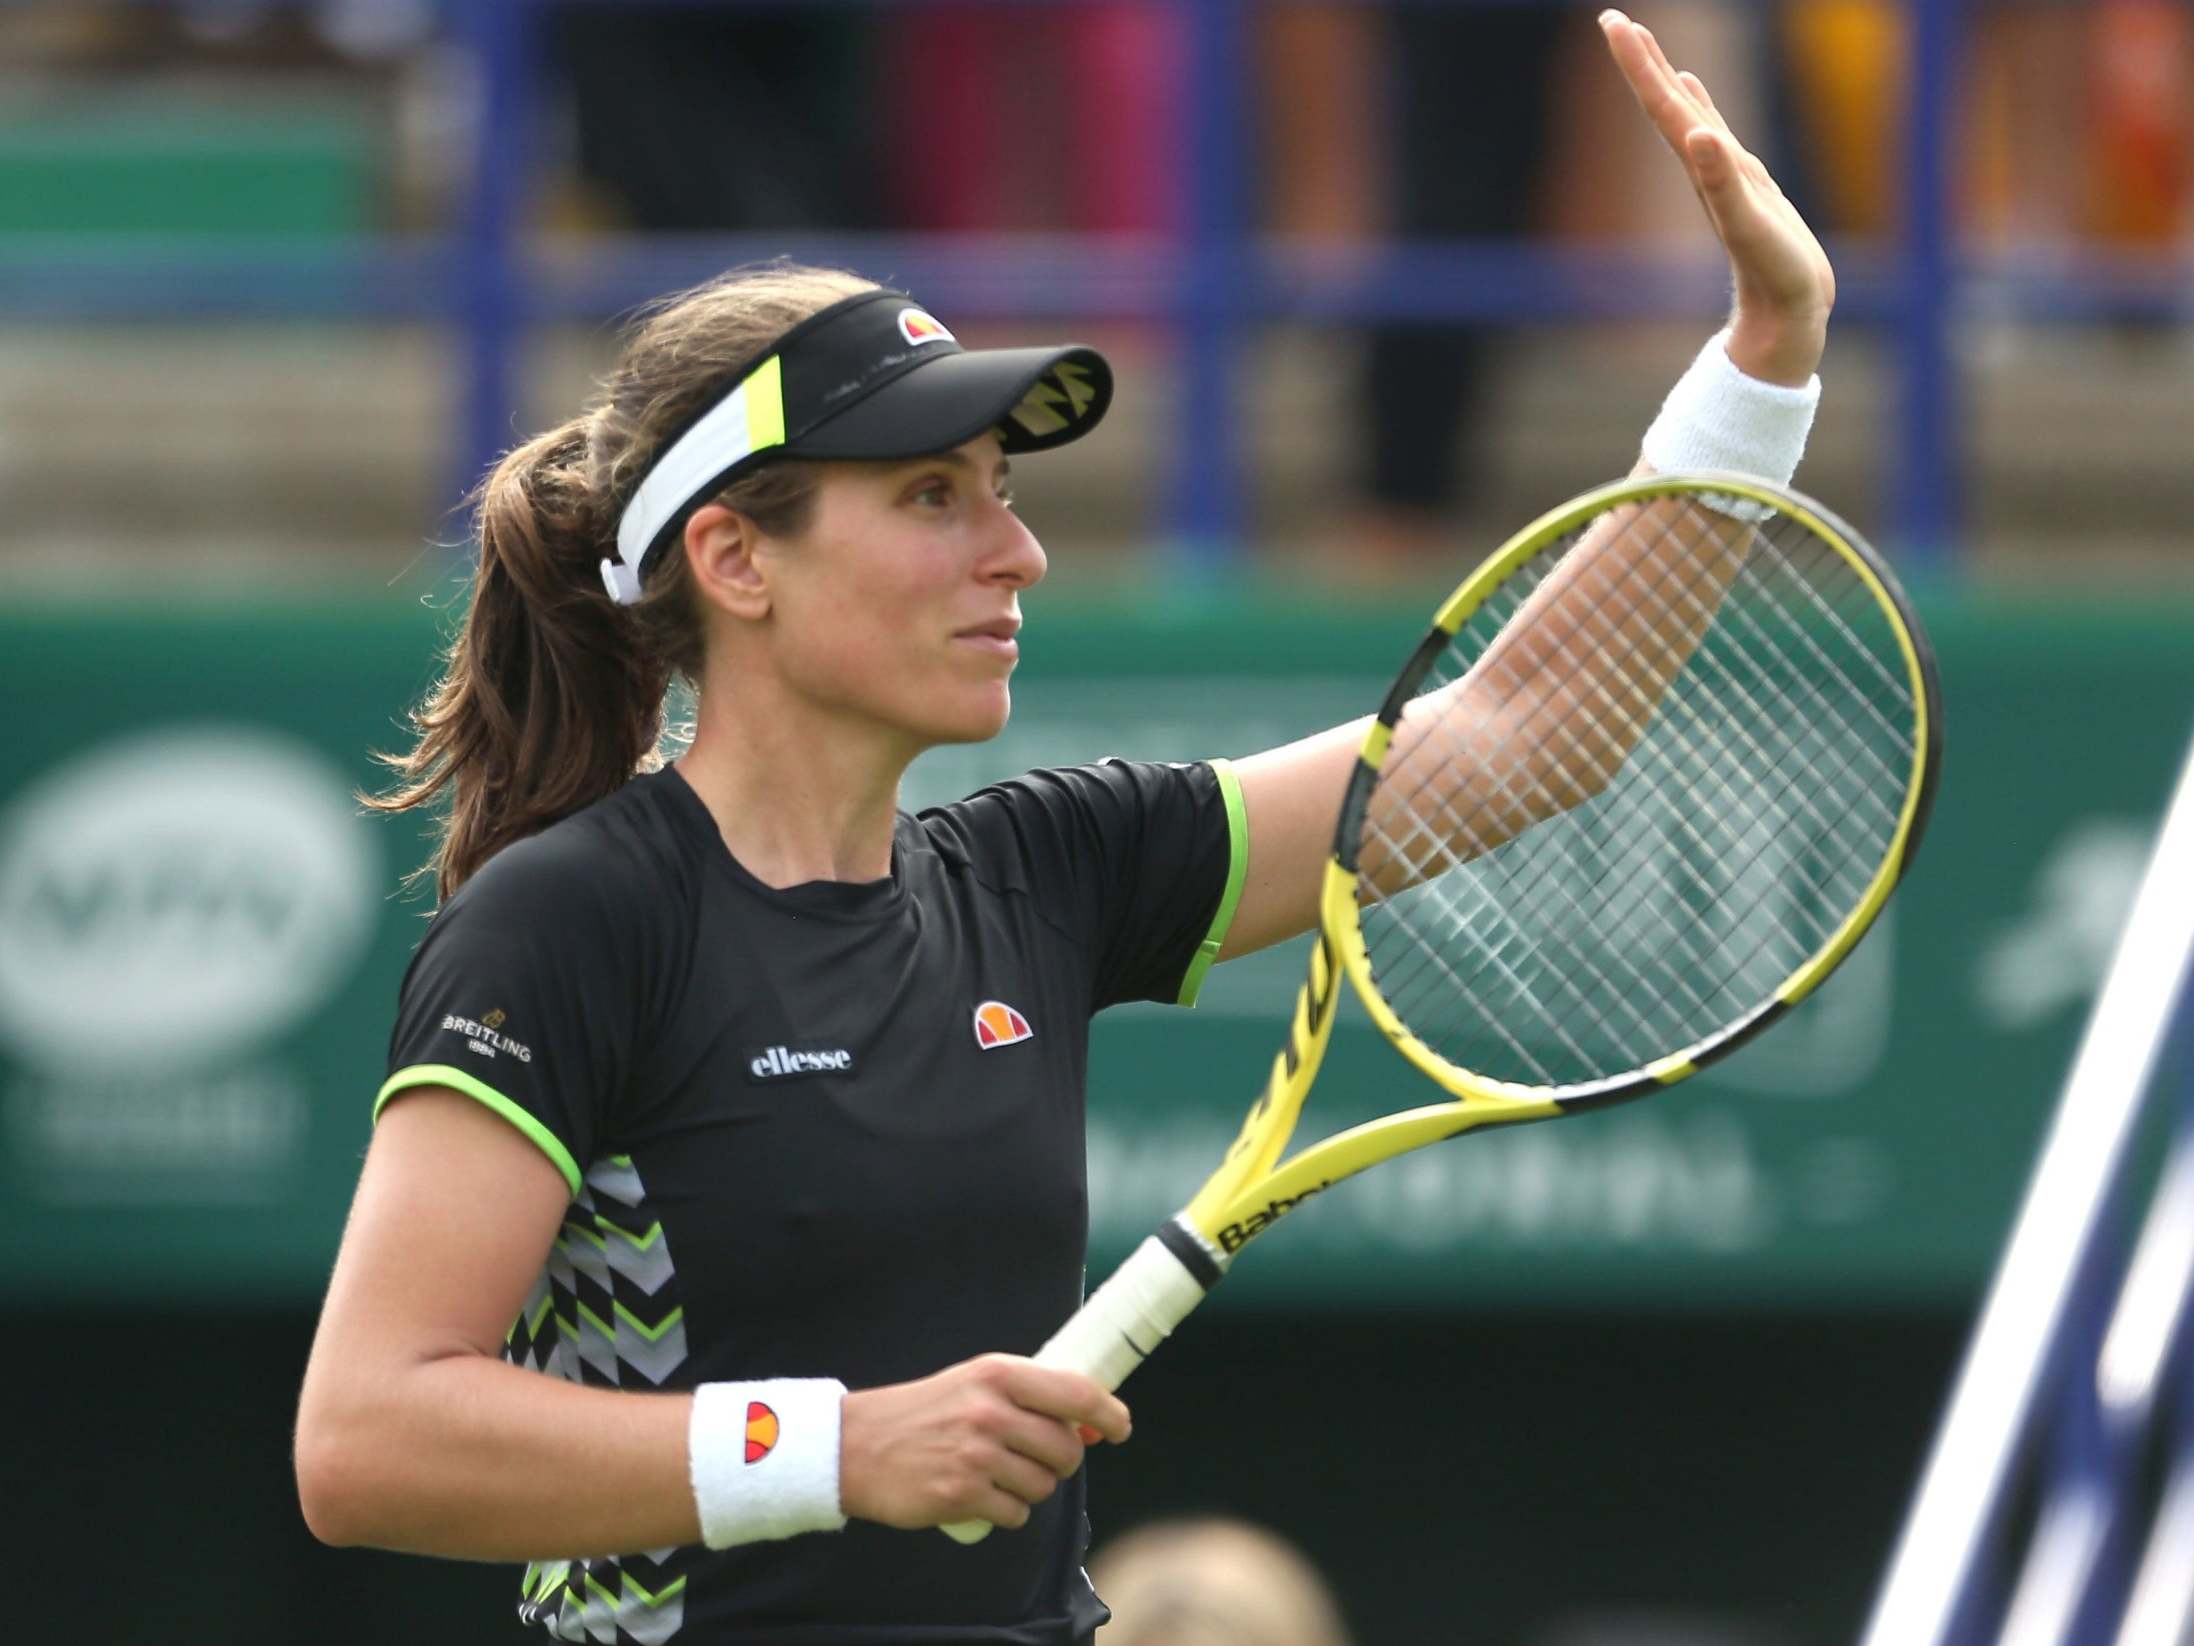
(411, 1432)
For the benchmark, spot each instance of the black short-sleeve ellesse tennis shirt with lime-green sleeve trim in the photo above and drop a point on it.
(817, 1131)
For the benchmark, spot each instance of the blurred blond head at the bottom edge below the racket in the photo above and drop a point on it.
(1212, 1583)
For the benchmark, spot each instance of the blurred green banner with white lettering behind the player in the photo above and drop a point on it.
(201, 940)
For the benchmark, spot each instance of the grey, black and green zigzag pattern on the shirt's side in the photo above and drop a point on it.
(607, 1311)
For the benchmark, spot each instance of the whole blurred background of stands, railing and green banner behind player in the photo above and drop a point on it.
(1381, 282)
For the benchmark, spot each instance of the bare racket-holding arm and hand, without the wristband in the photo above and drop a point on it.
(414, 1434)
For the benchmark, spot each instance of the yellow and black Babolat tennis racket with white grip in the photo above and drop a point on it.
(1647, 782)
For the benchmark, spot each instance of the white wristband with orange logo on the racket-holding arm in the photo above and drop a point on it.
(765, 1458)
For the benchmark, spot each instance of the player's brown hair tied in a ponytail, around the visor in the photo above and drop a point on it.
(552, 695)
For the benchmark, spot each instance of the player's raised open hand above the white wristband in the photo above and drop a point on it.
(1785, 284)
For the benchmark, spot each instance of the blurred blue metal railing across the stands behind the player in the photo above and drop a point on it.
(1212, 286)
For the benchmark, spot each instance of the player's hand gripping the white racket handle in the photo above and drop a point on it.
(982, 1441)
